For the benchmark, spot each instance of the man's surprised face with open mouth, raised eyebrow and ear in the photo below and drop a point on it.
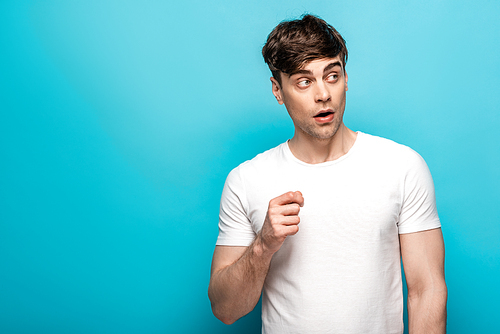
(314, 97)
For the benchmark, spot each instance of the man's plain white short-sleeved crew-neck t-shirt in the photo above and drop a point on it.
(341, 272)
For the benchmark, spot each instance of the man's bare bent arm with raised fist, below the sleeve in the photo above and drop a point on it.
(238, 273)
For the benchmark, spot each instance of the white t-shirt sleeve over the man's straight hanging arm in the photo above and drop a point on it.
(418, 212)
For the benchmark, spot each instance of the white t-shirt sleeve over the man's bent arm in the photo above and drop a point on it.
(235, 229)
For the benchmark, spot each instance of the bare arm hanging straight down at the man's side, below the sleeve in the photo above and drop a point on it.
(423, 262)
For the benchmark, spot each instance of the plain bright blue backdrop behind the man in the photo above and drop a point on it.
(120, 121)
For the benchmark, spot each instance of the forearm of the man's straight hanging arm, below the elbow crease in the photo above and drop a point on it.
(427, 311)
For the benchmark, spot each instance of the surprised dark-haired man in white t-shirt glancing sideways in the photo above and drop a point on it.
(319, 224)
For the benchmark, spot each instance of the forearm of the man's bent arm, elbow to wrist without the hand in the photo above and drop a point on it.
(235, 290)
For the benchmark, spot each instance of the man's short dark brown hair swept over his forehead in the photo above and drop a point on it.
(293, 43)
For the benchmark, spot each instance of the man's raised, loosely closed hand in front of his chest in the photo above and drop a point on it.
(281, 220)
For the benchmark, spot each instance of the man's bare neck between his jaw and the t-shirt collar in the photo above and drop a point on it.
(314, 150)
